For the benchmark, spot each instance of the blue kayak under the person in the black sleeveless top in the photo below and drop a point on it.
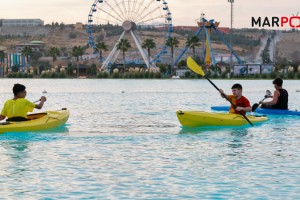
(264, 111)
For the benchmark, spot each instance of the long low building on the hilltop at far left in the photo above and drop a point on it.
(21, 22)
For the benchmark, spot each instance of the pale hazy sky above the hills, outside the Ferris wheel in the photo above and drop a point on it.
(184, 12)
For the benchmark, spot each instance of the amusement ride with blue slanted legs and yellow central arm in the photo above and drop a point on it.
(208, 26)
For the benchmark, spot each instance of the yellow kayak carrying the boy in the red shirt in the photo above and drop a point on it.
(201, 118)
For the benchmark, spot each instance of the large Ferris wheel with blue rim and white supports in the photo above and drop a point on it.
(132, 16)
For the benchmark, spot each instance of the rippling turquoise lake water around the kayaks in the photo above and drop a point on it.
(123, 141)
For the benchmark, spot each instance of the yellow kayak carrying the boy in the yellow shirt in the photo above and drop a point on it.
(37, 122)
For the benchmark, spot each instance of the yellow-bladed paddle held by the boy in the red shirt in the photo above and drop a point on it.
(198, 70)
